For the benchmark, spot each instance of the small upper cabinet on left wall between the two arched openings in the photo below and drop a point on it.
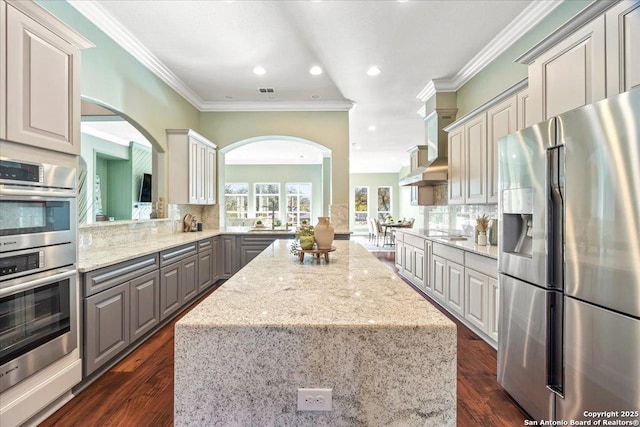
(192, 168)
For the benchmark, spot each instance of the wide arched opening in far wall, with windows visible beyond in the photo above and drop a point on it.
(277, 179)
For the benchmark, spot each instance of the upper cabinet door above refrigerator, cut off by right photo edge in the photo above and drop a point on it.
(623, 47)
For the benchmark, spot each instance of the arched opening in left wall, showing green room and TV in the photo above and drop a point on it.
(119, 174)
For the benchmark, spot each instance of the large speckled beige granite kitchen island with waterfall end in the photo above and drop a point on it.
(349, 324)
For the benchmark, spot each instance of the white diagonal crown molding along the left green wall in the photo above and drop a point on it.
(102, 19)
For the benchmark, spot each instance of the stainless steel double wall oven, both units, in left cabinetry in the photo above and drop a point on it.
(38, 280)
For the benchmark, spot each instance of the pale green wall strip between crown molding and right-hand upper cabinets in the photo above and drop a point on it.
(503, 72)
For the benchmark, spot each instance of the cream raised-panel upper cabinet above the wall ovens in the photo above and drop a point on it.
(41, 56)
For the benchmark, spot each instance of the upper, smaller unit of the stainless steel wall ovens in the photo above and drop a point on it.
(37, 204)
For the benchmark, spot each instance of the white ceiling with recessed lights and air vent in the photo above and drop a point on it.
(208, 49)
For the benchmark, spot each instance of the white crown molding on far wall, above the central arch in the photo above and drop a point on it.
(278, 106)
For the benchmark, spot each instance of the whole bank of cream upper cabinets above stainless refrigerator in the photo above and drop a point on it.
(596, 54)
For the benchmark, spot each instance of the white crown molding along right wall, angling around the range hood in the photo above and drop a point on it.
(526, 20)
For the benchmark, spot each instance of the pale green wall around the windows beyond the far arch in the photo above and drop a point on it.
(279, 173)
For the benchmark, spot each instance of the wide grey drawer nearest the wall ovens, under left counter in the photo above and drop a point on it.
(107, 277)
